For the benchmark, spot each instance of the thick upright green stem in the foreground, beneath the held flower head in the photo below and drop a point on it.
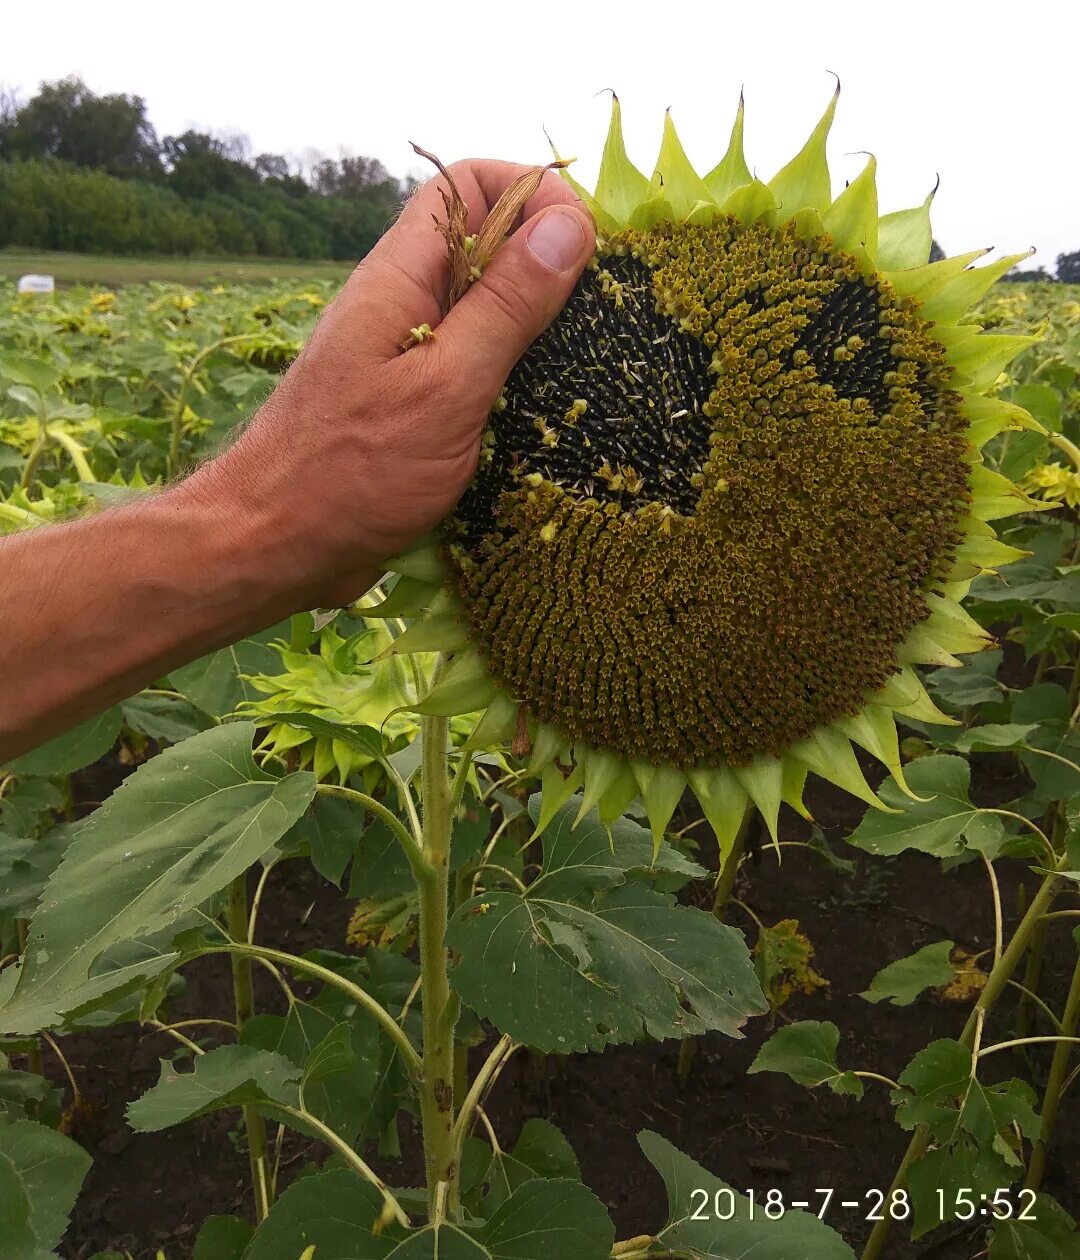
(437, 1091)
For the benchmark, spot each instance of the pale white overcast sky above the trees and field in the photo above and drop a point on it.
(985, 94)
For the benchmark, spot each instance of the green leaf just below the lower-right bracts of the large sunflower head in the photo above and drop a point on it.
(945, 825)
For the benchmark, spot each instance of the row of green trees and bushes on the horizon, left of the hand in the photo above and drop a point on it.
(89, 173)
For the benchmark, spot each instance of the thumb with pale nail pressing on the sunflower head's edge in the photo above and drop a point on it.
(520, 294)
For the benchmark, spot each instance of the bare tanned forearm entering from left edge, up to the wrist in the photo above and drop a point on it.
(95, 610)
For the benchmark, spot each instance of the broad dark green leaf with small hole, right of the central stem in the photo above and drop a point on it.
(590, 957)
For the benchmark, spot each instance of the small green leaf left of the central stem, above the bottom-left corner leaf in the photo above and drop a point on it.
(222, 1078)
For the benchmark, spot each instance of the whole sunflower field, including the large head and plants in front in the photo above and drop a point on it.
(680, 857)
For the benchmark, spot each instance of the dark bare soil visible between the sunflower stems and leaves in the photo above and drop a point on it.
(151, 1191)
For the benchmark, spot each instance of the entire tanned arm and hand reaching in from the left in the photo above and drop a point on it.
(360, 450)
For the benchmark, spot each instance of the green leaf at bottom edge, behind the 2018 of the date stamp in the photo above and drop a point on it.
(698, 1201)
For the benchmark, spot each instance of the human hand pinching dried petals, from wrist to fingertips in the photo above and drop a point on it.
(362, 448)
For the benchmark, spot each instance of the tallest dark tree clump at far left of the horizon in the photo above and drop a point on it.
(70, 123)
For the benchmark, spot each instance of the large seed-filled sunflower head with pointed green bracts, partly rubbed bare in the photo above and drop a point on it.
(730, 498)
